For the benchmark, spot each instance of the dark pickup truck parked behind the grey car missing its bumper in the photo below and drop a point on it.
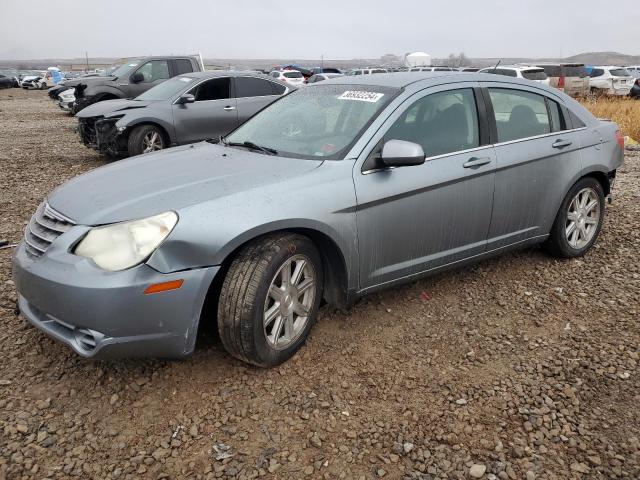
(132, 78)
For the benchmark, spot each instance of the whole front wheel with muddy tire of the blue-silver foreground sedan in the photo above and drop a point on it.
(245, 299)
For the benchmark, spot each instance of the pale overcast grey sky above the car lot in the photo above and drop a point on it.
(307, 29)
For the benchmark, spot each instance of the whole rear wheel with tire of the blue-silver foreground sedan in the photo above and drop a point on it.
(586, 225)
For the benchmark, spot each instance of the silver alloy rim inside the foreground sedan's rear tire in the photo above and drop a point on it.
(583, 218)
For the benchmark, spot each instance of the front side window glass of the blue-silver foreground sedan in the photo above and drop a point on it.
(442, 122)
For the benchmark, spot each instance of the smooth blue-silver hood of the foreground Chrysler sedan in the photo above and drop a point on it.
(170, 180)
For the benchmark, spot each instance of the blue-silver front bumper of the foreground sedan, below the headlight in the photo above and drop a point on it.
(102, 314)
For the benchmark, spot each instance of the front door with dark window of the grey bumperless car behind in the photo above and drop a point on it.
(211, 115)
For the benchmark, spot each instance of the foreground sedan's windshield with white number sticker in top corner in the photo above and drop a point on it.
(318, 122)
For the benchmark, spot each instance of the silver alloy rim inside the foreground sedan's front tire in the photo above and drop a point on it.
(290, 298)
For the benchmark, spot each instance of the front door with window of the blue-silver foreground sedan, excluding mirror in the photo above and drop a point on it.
(413, 219)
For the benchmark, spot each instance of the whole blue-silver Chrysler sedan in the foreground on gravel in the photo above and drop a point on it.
(333, 191)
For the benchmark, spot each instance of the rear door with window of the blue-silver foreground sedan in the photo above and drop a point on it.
(537, 156)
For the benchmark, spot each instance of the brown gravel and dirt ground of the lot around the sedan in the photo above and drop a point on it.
(519, 367)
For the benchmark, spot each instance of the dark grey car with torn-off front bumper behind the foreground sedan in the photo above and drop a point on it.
(184, 109)
